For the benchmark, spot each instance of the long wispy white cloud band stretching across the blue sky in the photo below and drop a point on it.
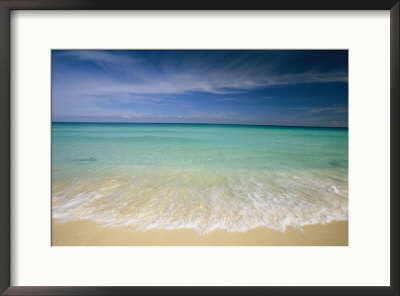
(209, 82)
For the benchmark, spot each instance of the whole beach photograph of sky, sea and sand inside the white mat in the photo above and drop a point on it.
(199, 148)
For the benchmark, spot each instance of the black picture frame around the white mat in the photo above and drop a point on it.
(6, 6)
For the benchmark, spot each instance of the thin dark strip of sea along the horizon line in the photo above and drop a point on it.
(241, 124)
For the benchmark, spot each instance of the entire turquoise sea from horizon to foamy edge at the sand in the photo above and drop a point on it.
(203, 177)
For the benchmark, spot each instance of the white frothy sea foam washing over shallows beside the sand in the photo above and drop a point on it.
(204, 200)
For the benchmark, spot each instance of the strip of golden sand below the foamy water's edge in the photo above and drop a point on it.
(88, 233)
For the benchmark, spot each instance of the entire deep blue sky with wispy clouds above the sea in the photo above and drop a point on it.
(262, 87)
